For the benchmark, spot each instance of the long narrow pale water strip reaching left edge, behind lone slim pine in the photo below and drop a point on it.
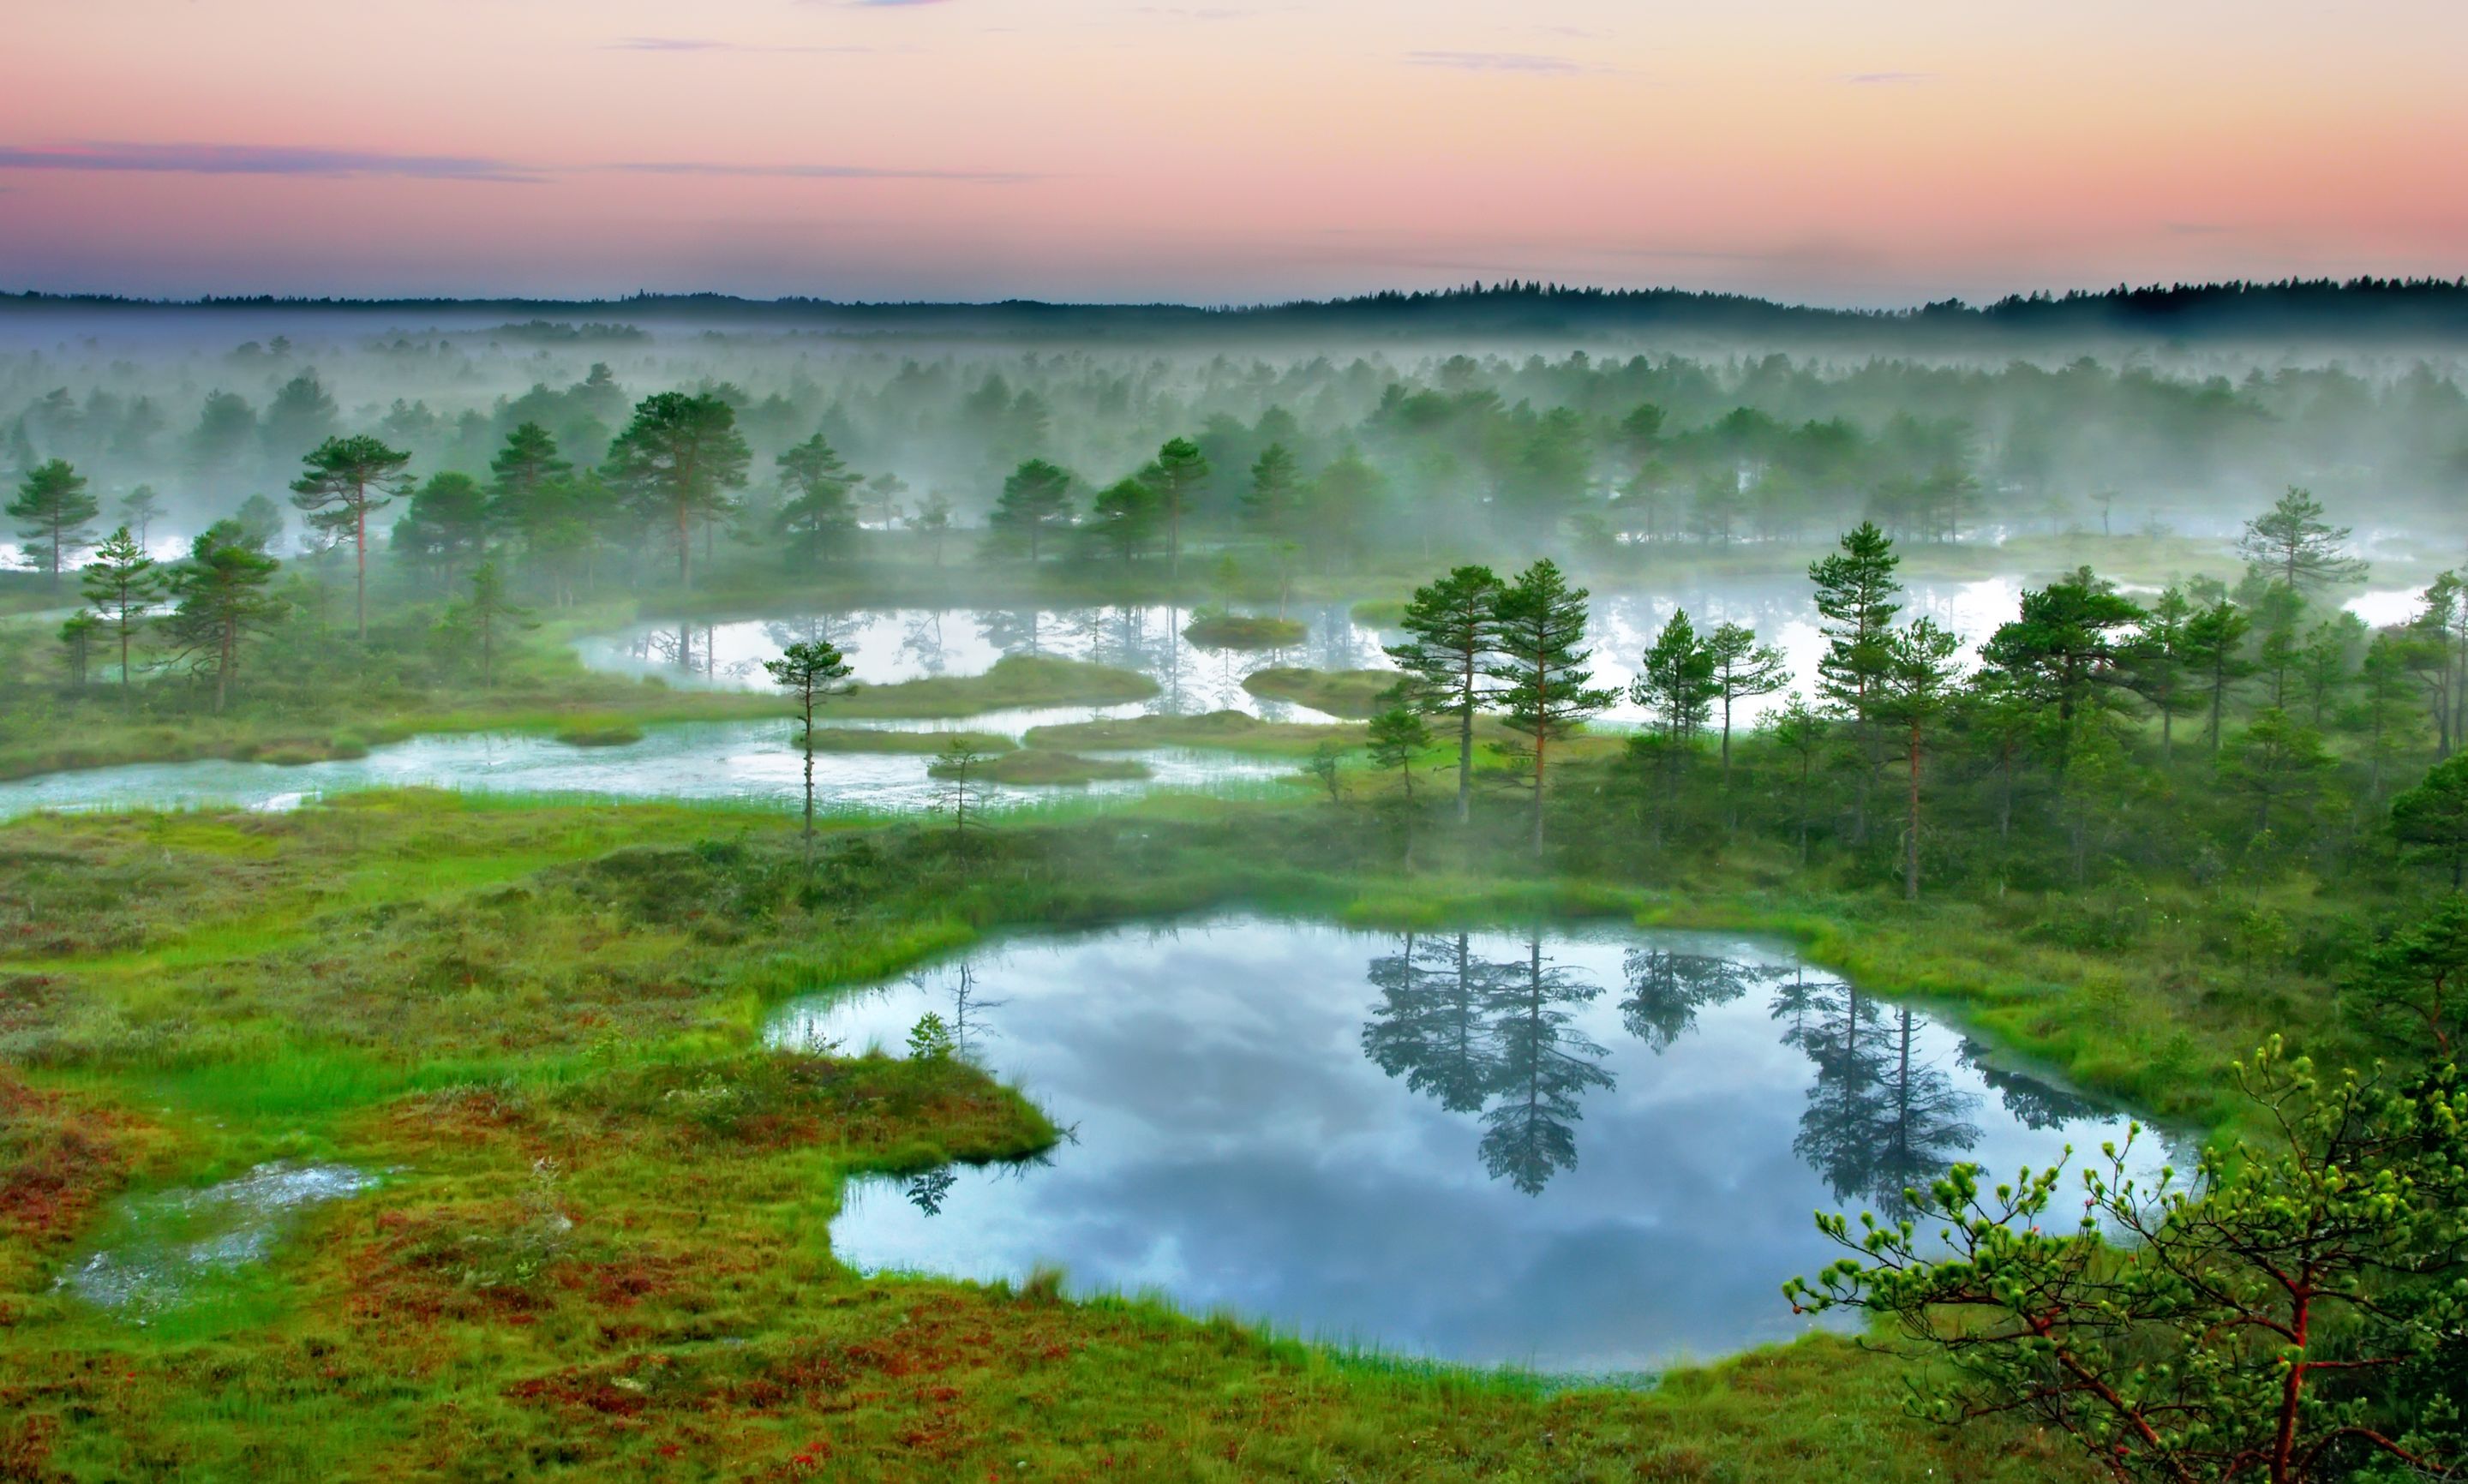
(752, 762)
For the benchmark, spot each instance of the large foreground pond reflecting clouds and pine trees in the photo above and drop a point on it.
(1583, 1152)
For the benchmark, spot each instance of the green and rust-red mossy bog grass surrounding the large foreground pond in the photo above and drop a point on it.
(603, 1246)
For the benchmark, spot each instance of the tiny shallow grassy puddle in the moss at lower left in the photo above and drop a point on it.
(176, 1241)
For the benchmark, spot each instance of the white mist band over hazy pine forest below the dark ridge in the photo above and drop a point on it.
(1744, 441)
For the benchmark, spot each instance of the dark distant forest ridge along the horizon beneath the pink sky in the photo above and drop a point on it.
(2353, 310)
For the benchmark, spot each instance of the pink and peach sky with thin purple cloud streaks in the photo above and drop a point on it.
(1223, 152)
